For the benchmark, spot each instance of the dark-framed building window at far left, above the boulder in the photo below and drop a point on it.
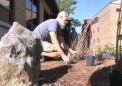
(6, 11)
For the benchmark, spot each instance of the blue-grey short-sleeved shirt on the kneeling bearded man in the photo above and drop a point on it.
(43, 29)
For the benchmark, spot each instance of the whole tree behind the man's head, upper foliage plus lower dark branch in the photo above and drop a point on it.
(65, 5)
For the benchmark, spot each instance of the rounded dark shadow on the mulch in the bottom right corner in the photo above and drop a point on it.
(100, 77)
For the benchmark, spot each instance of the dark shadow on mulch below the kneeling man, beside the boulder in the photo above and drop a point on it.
(52, 75)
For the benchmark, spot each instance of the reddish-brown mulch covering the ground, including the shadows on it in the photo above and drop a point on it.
(57, 73)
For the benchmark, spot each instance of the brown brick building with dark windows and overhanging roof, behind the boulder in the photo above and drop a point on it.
(16, 11)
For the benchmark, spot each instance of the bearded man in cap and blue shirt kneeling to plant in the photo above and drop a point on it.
(50, 35)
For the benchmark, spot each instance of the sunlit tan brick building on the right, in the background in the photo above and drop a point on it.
(104, 28)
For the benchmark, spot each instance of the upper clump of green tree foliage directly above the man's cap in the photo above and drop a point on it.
(65, 5)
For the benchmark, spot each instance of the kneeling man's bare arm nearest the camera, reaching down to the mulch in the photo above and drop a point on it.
(56, 44)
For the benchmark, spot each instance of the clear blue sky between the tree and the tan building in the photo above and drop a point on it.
(86, 9)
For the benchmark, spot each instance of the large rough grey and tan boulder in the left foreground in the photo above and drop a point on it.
(20, 52)
